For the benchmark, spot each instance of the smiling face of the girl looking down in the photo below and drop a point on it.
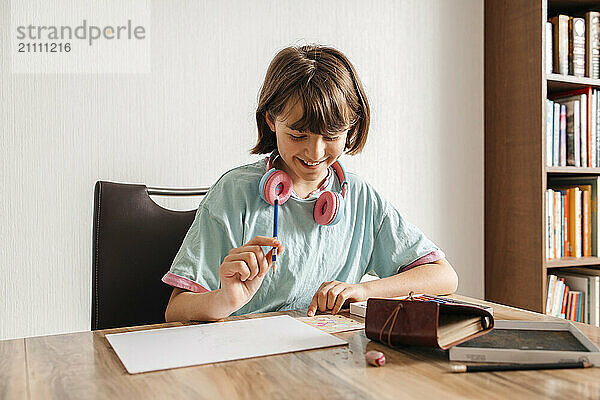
(306, 156)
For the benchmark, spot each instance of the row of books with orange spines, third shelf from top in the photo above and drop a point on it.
(572, 217)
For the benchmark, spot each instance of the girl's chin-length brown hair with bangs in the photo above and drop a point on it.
(324, 81)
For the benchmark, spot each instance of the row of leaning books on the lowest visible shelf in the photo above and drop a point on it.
(574, 294)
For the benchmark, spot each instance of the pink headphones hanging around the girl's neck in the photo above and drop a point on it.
(329, 207)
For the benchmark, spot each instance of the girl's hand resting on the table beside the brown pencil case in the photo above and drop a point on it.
(333, 295)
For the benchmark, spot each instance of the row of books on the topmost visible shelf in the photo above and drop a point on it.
(575, 45)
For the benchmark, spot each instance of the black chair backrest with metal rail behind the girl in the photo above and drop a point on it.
(135, 241)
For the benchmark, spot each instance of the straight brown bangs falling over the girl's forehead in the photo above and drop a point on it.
(325, 109)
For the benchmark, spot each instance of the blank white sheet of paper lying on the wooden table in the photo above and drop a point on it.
(183, 346)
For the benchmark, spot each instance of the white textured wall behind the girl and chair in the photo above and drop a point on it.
(192, 118)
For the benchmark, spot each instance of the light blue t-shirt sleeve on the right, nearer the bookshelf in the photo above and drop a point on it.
(399, 245)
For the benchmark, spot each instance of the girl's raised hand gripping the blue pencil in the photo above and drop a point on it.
(244, 269)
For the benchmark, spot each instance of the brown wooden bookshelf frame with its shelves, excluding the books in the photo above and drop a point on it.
(516, 175)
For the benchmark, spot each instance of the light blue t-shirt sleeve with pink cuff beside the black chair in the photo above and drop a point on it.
(196, 265)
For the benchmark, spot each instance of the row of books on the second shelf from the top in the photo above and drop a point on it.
(572, 128)
